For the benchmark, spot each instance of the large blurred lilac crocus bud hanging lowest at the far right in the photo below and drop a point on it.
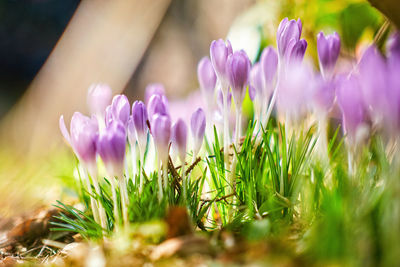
(351, 103)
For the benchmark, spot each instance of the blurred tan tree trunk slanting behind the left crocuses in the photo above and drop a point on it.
(104, 42)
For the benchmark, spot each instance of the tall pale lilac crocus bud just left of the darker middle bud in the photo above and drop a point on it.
(219, 52)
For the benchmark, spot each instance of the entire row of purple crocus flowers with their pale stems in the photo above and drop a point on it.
(282, 80)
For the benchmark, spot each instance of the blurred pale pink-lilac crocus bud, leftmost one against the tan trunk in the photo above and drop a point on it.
(98, 98)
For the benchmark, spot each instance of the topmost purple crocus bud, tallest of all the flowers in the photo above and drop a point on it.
(288, 35)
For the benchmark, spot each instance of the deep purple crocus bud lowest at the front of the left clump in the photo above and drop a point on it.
(111, 147)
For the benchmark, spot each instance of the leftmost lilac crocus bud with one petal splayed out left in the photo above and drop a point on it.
(82, 137)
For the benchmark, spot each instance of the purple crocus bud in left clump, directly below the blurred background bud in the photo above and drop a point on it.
(161, 131)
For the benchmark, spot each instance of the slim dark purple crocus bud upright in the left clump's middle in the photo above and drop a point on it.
(139, 117)
